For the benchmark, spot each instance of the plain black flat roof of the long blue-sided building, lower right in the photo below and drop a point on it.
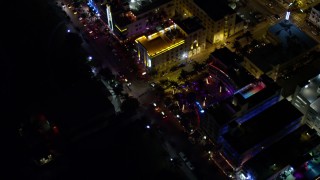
(262, 126)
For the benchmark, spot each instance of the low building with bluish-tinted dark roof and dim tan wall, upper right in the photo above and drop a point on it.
(288, 45)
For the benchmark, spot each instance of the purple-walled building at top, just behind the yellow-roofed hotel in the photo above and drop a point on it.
(135, 17)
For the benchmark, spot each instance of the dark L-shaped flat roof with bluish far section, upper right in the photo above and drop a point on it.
(292, 43)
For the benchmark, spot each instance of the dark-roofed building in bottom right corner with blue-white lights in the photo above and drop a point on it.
(287, 158)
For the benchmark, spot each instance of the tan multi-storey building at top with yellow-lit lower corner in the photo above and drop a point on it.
(219, 20)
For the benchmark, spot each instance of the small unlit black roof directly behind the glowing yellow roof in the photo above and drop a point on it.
(190, 25)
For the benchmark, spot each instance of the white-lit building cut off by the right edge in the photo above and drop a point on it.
(307, 99)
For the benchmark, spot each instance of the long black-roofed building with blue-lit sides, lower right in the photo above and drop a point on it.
(245, 140)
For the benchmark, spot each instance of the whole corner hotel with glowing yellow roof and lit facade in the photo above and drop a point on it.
(171, 45)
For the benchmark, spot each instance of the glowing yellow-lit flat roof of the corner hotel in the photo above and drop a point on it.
(160, 42)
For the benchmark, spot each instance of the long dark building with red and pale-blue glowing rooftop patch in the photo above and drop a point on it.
(247, 102)
